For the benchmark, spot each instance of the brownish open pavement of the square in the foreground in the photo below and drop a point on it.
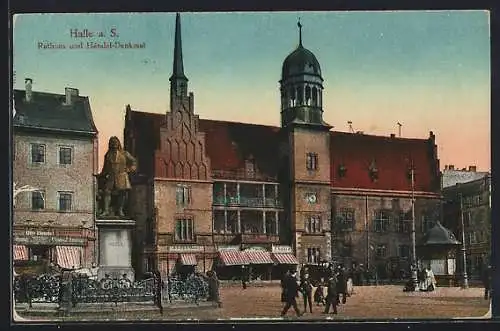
(257, 302)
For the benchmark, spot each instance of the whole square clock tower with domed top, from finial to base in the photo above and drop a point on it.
(307, 141)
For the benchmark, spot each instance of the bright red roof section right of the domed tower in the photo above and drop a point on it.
(393, 158)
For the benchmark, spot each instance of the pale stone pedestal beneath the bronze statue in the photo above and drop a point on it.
(115, 248)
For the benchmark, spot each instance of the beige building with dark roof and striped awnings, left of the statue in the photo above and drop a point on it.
(55, 151)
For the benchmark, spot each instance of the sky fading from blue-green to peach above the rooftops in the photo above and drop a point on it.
(428, 70)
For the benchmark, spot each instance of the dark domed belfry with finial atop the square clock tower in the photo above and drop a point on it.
(301, 88)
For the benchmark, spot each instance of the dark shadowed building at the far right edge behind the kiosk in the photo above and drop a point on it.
(469, 203)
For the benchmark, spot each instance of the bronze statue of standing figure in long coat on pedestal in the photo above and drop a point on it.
(113, 181)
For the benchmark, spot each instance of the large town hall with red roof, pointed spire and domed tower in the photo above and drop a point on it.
(210, 194)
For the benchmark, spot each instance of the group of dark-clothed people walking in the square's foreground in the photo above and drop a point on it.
(336, 287)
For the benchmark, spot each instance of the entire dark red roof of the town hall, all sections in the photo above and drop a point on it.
(229, 144)
